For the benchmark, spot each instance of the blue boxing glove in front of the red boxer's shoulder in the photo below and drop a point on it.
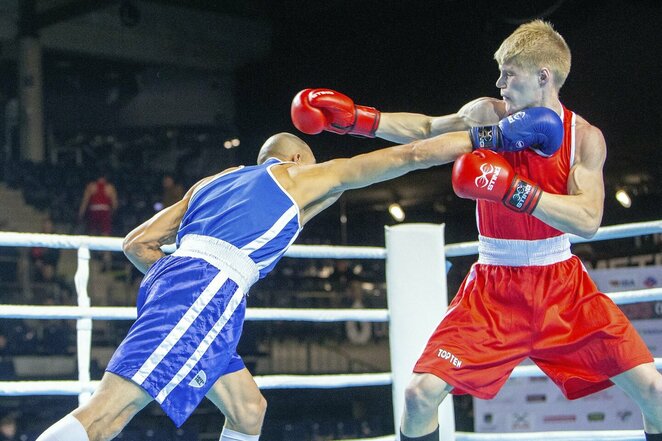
(538, 128)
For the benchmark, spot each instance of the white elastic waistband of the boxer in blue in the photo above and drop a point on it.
(222, 255)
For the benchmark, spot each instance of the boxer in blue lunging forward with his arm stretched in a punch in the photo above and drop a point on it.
(230, 230)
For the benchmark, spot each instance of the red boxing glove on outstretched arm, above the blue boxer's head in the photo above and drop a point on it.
(314, 110)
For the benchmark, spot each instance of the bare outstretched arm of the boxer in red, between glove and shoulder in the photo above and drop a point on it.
(406, 127)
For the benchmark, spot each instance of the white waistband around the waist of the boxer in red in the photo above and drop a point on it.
(510, 252)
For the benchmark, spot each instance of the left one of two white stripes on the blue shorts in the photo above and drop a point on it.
(176, 333)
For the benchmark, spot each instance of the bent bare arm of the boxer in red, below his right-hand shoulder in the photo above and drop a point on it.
(579, 212)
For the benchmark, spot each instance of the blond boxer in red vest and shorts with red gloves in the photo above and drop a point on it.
(527, 295)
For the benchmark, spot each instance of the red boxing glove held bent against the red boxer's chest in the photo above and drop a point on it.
(484, 174)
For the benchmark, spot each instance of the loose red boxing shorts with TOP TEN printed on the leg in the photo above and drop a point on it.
(551, 313)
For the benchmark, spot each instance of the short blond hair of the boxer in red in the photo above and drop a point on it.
(535, 45)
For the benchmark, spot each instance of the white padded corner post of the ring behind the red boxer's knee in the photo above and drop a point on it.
(417, 300)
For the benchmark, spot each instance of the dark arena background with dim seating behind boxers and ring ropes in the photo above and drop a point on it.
(155, 95)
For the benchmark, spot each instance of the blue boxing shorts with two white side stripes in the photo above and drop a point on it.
(191, 308)
